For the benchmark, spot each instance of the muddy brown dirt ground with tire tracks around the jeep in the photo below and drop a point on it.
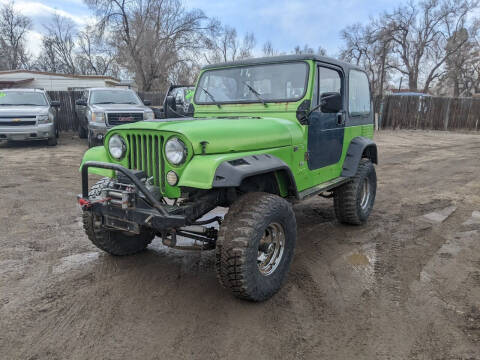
(400, 287)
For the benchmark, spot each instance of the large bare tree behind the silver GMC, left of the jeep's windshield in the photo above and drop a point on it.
(151, 37)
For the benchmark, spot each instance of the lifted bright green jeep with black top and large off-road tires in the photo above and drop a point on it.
(265, 133)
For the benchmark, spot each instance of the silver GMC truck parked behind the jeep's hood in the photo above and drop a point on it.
(102, 108)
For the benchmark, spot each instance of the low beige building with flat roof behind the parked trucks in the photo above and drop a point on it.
(57, 82)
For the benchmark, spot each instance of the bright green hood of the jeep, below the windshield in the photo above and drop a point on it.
(225, 135)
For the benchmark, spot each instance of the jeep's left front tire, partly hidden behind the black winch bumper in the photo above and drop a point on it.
(113, 242)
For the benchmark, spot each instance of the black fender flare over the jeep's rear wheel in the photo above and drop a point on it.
(359, 147)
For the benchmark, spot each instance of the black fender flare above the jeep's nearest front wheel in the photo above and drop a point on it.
(231, 173)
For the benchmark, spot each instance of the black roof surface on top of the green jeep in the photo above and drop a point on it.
(283, 58)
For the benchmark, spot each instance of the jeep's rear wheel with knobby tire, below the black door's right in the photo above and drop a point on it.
(353, 201)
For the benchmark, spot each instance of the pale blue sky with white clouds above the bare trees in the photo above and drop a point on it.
(285, 23)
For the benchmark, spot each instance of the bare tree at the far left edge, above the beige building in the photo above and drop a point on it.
(13, 29)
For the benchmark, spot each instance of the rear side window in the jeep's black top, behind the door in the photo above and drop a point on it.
(358, 94)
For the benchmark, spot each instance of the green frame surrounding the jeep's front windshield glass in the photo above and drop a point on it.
(253, 101)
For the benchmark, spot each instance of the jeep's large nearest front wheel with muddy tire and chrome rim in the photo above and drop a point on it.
(255, 246)
